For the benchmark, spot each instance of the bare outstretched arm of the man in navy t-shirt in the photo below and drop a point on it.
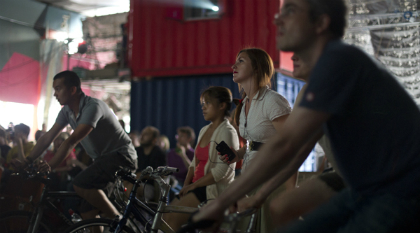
(279, 155)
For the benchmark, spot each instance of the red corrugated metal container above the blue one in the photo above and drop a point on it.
(160, 46)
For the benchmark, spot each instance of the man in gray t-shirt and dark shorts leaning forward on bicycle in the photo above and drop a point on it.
(99, 132)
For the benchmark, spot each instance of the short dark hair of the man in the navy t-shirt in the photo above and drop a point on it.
(335, 9)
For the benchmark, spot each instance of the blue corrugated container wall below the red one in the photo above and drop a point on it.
(168, 103)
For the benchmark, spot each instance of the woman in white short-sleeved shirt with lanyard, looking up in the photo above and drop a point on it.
(261, 114)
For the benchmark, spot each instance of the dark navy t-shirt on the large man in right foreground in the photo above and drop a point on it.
(374, 126)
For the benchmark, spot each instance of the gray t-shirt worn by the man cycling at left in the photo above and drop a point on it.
(107, 136)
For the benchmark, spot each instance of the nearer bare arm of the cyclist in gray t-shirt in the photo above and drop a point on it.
(68, 145)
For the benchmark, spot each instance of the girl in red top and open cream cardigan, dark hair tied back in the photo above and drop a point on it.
(207, 176)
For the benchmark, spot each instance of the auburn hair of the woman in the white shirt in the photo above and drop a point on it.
(264, 70)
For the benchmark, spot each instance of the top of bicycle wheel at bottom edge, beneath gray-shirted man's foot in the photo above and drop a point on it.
(85, 226)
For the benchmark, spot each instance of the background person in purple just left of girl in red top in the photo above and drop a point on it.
(180, 157)
